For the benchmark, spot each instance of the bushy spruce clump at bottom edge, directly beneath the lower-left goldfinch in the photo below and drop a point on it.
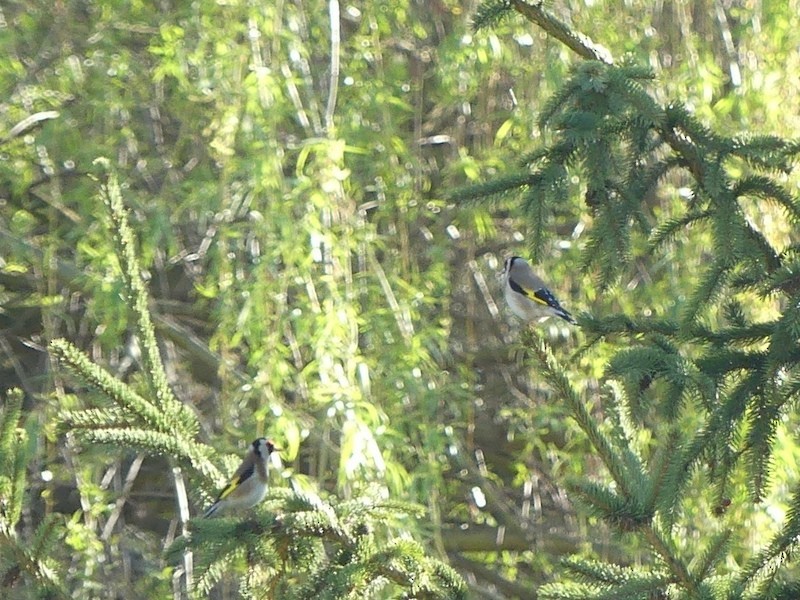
(303, 547)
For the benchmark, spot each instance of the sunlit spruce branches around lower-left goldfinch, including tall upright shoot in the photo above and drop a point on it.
(288, 549)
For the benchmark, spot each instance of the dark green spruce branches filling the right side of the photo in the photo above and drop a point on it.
(703, 396)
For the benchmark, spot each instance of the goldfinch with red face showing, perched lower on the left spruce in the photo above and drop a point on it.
(248, 486)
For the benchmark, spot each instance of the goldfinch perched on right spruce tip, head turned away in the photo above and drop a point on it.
(526, 294)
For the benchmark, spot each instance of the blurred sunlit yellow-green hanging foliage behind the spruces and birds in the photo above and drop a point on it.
(287, 180)
